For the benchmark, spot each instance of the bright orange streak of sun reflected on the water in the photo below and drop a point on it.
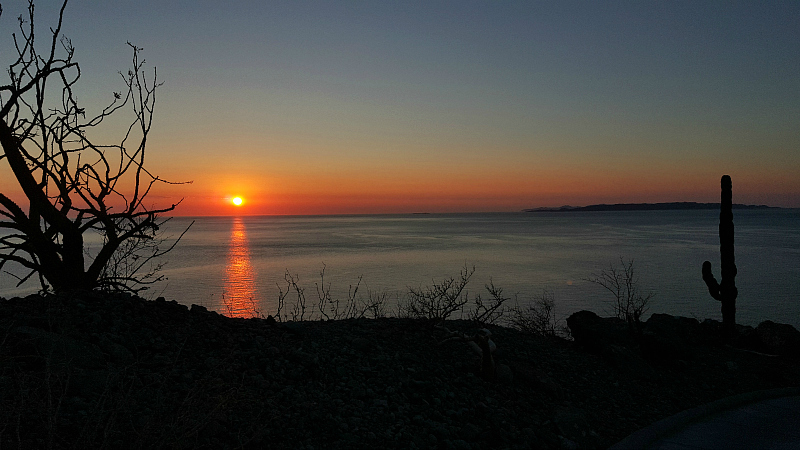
(240, 290)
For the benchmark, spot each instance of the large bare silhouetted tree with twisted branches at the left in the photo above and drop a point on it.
(74, 186)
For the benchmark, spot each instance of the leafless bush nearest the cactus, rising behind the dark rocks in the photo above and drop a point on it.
(623, 283)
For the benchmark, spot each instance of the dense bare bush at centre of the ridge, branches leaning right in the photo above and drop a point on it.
(439, 300)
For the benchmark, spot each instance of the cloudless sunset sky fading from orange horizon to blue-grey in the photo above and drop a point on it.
(396, 107)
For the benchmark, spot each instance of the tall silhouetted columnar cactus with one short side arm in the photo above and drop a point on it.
(725, 291)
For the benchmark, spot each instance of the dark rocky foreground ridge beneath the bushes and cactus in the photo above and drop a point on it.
(121, 372)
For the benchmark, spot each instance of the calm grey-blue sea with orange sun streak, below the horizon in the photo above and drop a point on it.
(242, 260)
